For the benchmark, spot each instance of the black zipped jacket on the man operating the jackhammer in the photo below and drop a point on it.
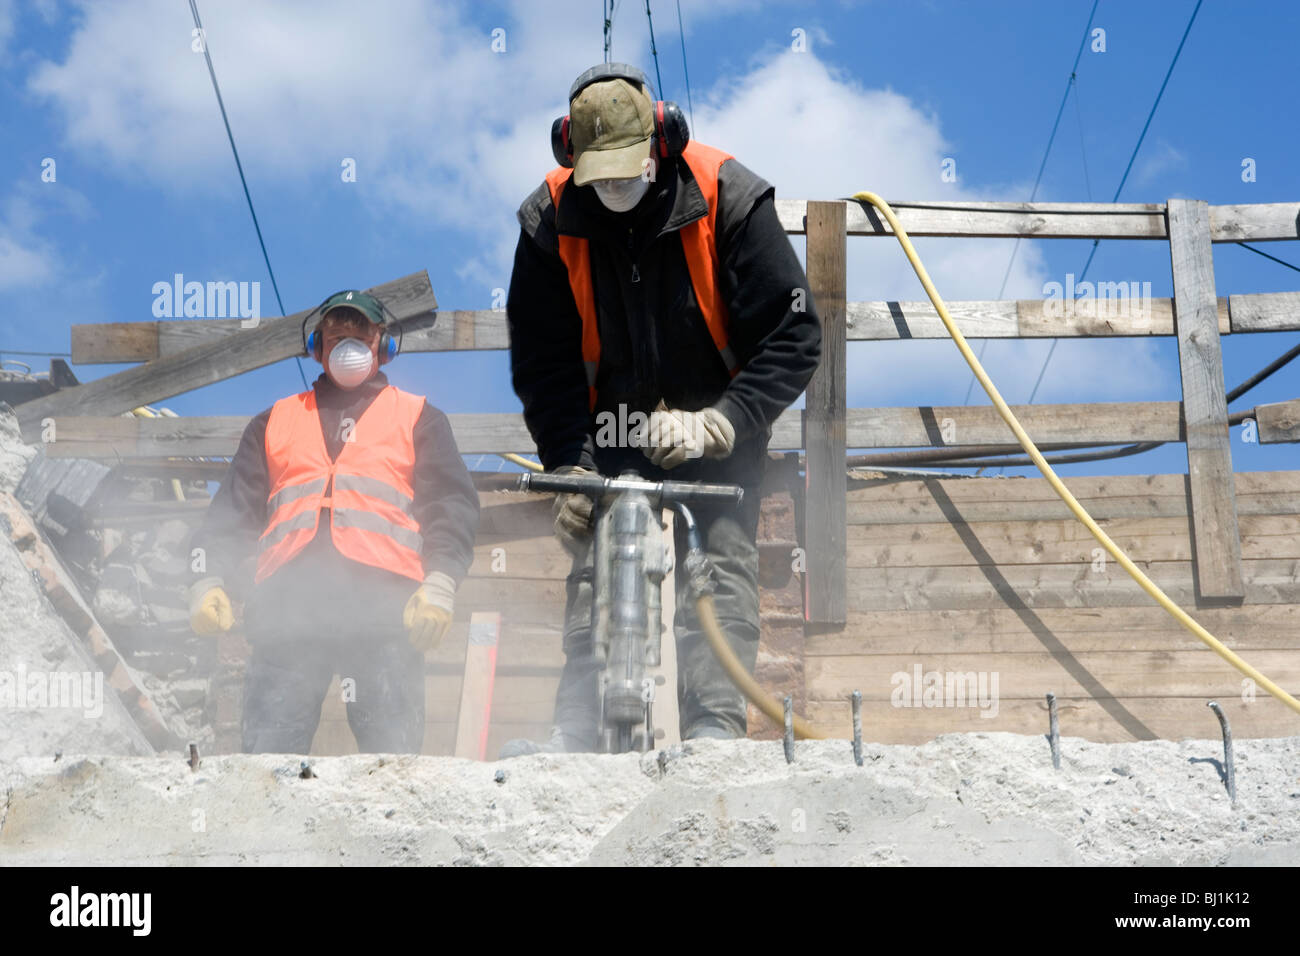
(655, 344)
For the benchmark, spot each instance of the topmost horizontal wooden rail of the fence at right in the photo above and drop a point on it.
(1255, 223)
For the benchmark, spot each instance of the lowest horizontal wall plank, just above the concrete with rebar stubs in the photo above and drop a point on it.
(1103, 721)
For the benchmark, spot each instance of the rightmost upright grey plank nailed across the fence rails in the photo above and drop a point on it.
(1210, 455)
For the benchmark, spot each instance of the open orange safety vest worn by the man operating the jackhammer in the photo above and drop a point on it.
(699, 241)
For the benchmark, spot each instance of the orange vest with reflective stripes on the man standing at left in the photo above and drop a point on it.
(369, 488)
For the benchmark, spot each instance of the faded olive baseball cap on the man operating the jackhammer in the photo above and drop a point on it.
(612, 124)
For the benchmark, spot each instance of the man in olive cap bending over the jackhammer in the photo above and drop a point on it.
(653, 279)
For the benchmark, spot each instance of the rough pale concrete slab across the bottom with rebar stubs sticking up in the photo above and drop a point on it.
(983, 799)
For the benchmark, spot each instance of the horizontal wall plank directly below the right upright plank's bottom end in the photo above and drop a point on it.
(1002, 630)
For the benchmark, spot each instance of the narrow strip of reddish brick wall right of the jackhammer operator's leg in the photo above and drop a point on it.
(781, 595)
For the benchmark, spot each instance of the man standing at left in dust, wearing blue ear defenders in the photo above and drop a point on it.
(358, 518)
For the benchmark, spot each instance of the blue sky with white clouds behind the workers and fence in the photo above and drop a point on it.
(450, 136)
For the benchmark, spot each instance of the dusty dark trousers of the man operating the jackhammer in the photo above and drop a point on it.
(709, 704)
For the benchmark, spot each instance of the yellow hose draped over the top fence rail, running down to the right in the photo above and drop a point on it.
(1021, 436)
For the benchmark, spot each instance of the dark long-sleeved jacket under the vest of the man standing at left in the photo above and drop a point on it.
(319, 587)
